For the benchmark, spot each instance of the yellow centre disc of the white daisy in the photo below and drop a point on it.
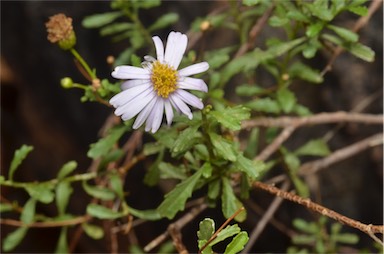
(164, 79)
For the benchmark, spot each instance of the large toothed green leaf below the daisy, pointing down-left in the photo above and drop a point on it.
(175, 200)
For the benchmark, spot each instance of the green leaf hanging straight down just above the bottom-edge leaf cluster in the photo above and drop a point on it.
(230, 203)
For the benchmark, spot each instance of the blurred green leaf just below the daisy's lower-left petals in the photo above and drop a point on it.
(105, 144)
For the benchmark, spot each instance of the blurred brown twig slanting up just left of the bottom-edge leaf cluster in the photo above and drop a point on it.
(180, 223)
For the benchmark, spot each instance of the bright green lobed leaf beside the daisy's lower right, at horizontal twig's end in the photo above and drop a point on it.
(231, 117)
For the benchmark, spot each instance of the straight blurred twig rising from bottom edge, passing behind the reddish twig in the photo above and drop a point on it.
(256, 232)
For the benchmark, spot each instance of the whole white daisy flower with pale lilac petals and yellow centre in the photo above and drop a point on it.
(159, 86)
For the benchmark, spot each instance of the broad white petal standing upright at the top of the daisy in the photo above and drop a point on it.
(176, 46)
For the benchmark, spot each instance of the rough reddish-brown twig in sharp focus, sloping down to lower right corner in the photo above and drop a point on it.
(368, 229)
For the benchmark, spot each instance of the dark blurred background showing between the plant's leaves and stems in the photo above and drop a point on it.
(36, 111)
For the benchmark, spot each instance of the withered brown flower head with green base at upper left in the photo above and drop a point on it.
(60, 31)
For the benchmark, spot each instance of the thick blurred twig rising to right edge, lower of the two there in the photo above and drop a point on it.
(341, 154)
